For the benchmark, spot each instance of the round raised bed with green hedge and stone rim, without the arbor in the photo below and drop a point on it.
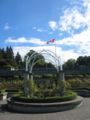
(21, 103)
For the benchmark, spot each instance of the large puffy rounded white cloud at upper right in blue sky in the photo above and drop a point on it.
(71, 20)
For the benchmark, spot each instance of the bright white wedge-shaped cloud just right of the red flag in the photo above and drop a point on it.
(77, 39)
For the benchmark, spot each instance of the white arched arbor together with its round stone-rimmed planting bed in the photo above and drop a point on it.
(38, 104)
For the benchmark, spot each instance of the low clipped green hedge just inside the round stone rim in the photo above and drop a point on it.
(70, 96)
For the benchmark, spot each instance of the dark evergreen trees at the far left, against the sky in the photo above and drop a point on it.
(8, 59)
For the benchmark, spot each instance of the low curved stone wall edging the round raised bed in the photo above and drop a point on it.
(43, 107)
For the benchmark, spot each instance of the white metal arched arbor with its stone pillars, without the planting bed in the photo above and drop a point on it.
(32, 60)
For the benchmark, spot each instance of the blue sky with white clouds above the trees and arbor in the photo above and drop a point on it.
(28, 24)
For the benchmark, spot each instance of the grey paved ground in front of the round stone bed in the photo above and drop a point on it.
(80, 113)
